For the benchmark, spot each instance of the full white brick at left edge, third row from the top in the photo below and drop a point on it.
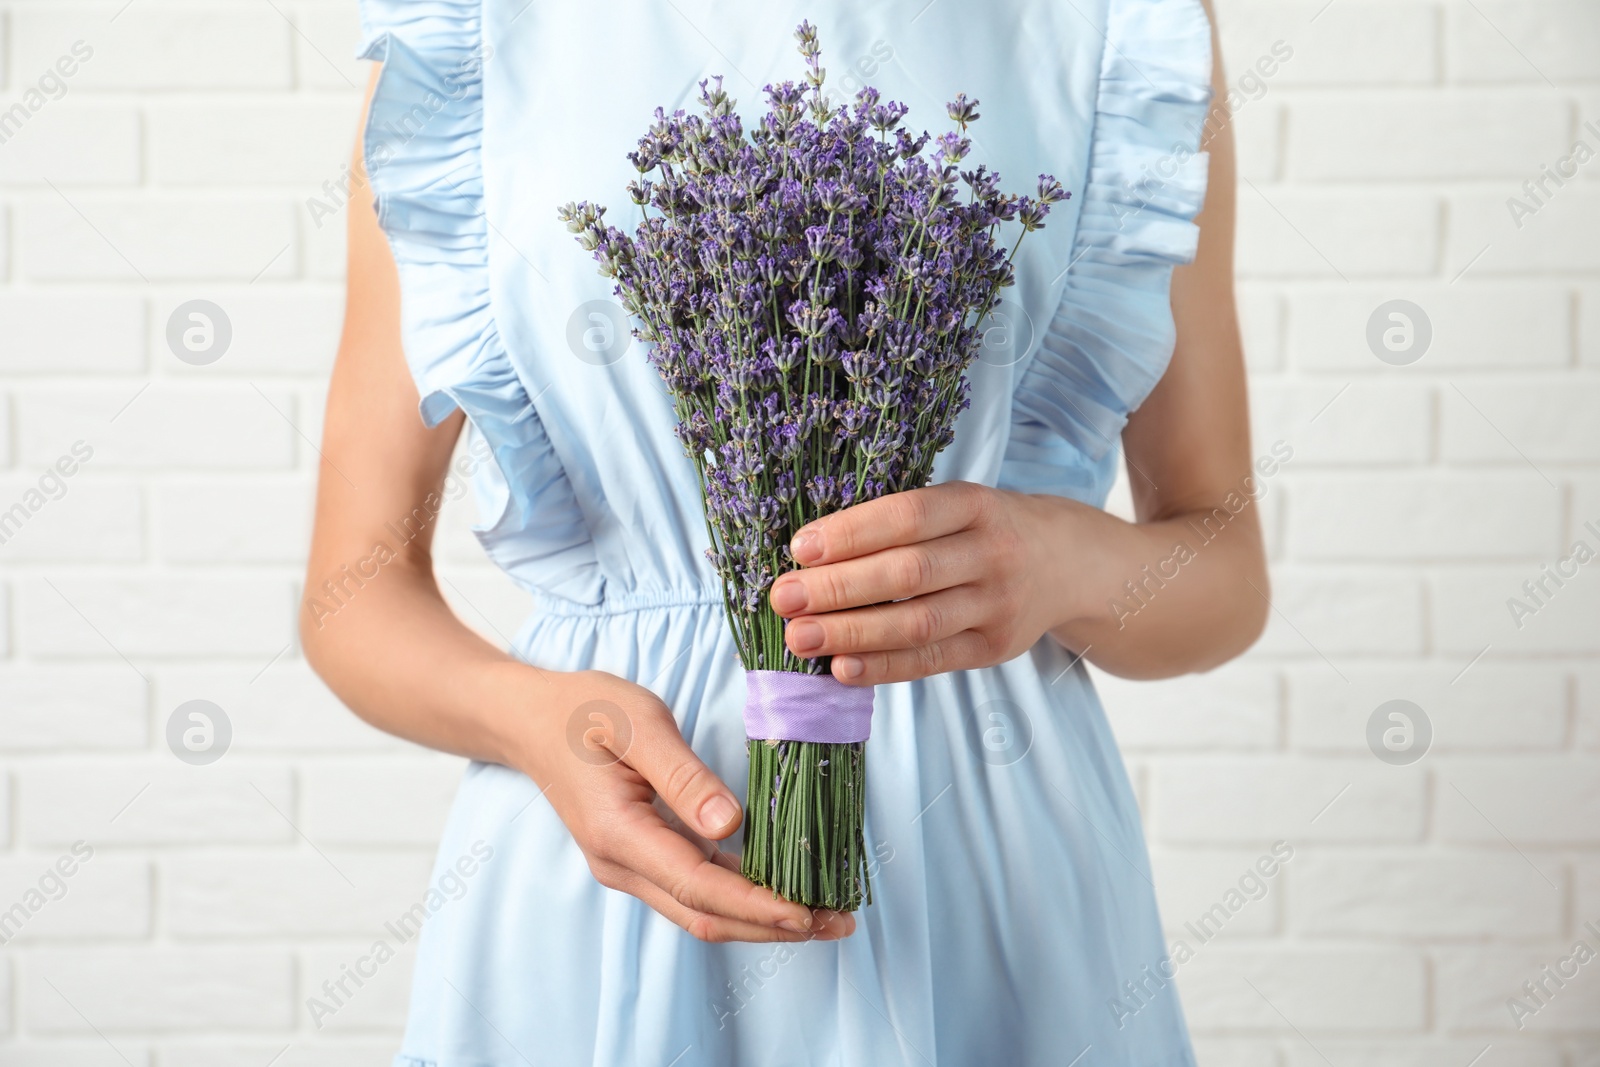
(194, 239)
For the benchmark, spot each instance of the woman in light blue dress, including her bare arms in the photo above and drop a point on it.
(602, 922)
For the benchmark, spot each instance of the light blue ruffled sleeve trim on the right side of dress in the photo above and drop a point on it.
(1113, 334)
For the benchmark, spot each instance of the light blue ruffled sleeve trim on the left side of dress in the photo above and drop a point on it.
(423, 154)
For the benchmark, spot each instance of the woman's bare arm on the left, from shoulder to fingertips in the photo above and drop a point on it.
(391, 649)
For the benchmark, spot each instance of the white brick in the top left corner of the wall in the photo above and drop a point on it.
(166, 49)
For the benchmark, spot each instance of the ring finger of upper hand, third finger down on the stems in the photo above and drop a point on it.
(886, 628)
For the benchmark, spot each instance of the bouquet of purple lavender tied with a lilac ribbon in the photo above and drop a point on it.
(812, 295)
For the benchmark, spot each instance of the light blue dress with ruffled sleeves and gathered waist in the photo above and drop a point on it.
(1012, 889)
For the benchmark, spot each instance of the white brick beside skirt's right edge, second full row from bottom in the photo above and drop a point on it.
(1191, 884)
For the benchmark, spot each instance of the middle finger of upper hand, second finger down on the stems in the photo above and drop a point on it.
(889, 575)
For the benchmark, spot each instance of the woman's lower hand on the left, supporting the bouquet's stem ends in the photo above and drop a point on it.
(647, 813)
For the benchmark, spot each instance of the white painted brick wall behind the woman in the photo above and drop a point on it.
(1420, 498)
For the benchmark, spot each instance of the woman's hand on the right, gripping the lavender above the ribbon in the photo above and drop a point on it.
(913, 585)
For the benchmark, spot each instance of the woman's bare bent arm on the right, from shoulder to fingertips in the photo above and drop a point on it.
(978, 575)
